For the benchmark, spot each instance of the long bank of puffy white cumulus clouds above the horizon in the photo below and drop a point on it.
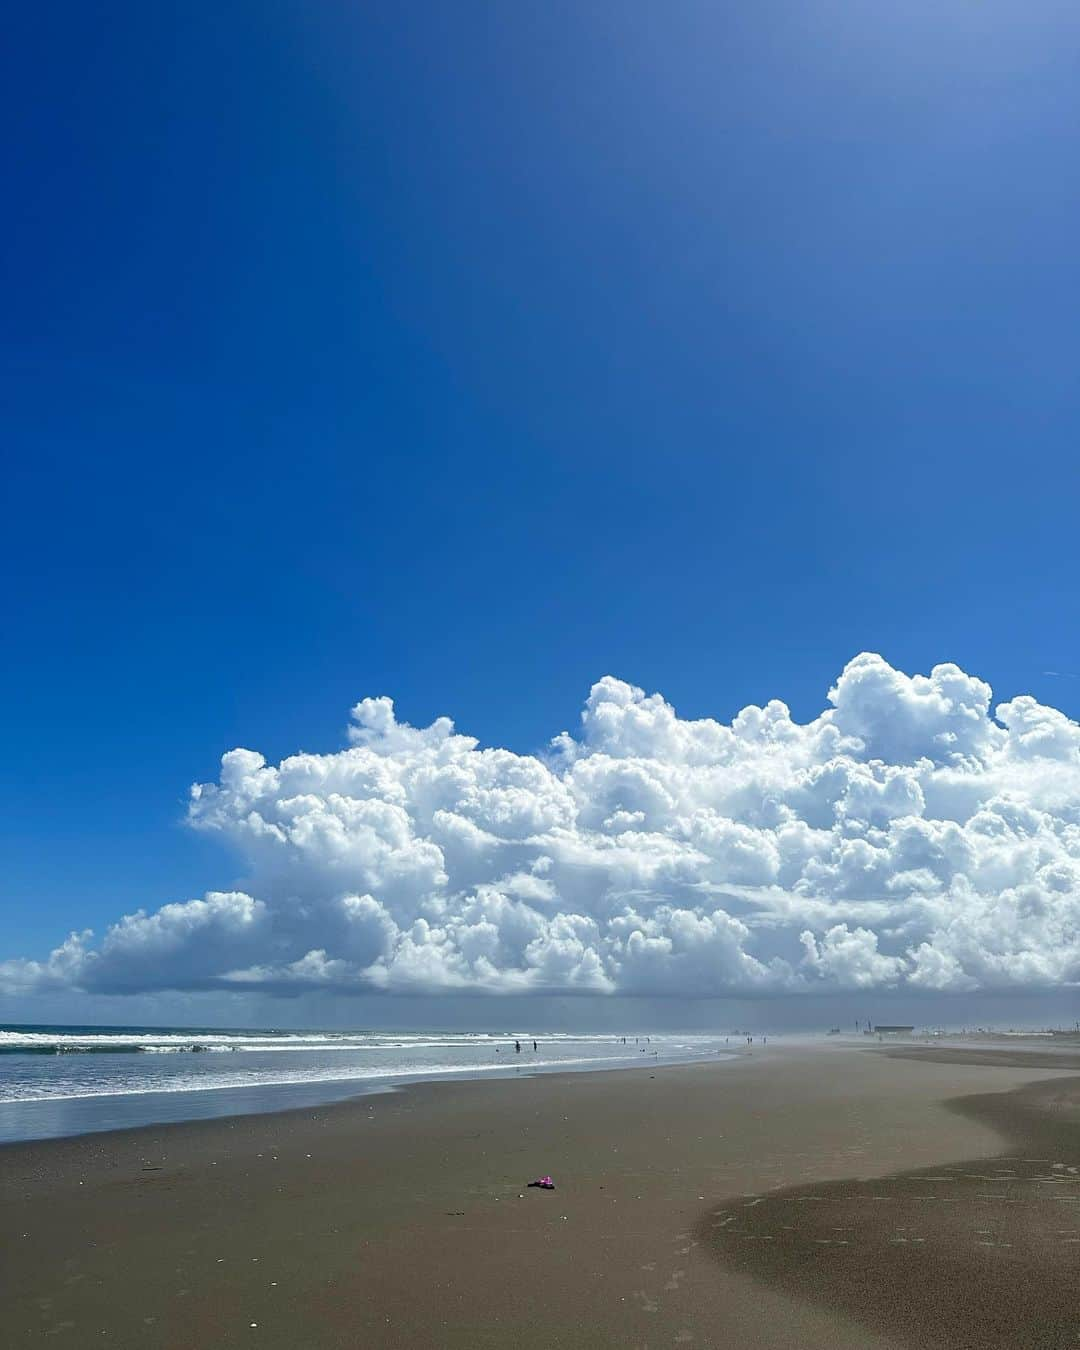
(908, 838)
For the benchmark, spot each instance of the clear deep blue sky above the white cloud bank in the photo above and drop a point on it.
(468, 353)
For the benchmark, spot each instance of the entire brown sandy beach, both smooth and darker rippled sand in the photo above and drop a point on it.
(800, 1197)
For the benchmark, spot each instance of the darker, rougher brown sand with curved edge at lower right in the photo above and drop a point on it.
(981, 1253)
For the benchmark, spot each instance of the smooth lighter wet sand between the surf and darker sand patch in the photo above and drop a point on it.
(404, 1220)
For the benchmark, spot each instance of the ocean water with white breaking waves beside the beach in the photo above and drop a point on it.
(64, 1081)
